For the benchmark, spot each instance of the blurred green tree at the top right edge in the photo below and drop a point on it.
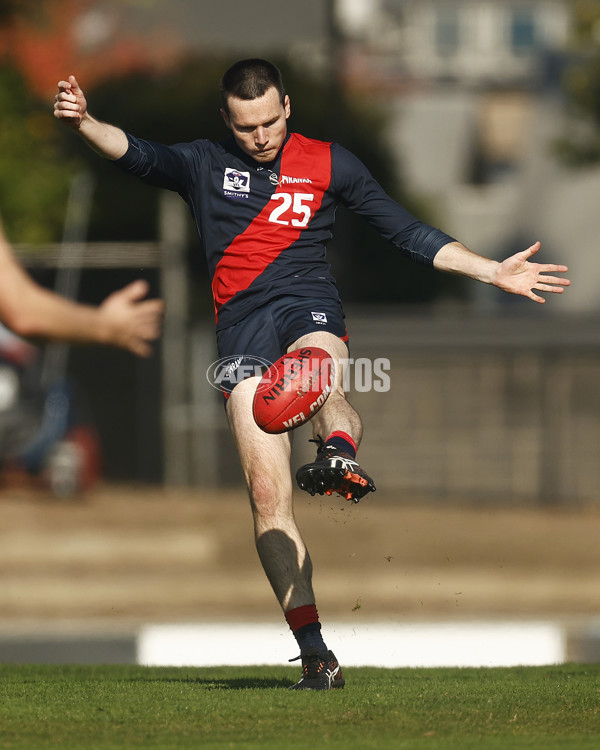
(581, 83)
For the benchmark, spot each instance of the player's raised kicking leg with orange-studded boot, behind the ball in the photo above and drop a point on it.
(337, 430)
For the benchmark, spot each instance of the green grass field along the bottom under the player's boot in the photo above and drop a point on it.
(249, 707)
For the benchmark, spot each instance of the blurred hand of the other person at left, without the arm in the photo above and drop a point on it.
(132, 321)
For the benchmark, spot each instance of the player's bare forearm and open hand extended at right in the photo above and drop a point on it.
(516, 274)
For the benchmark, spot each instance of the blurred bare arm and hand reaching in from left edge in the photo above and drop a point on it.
(125, 319)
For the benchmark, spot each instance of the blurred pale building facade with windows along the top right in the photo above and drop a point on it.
(470, 42)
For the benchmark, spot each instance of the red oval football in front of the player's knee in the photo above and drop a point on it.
(293, 389)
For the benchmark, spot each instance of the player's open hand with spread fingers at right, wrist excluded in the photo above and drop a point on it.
(517, 275)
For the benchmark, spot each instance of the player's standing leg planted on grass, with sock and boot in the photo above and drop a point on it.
(265, 461)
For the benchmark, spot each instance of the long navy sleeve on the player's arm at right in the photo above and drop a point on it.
(357, 189)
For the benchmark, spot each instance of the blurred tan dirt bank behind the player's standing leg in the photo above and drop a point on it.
(130, 555)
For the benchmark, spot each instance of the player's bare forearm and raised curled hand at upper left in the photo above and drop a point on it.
(70, 107)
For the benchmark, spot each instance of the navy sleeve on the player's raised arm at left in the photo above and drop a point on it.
(169, 167)
